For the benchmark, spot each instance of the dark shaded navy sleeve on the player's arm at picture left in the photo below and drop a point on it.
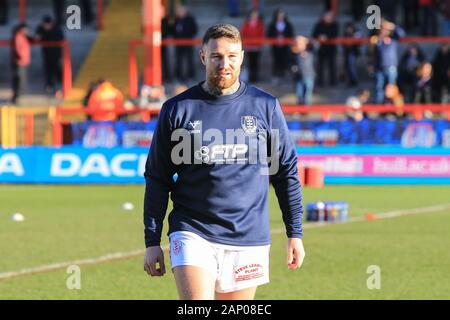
(159, 171)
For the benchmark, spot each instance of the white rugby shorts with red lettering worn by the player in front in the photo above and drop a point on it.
(234, 267)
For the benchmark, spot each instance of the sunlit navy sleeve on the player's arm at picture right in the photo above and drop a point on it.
(285, 180)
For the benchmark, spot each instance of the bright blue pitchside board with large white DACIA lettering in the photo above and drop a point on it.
(72, 165)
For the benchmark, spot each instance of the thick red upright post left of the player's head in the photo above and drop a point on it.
(152, 16)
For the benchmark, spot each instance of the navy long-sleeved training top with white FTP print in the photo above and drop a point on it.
(221, 187)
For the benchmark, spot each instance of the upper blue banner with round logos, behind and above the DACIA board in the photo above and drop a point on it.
(406, 133)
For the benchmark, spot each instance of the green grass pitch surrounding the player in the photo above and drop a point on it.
(66, 223)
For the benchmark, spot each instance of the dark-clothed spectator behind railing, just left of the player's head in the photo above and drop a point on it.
(185, 28)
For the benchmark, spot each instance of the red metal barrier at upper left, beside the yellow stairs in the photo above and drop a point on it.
(67, 60)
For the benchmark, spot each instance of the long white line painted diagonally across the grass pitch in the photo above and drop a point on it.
(125, 255)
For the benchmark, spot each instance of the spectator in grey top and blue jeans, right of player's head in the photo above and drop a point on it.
(303, 69)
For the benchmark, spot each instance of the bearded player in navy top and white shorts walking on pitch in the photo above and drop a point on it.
(219, 226)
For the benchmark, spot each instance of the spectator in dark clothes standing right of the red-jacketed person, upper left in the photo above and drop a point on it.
(48, 30)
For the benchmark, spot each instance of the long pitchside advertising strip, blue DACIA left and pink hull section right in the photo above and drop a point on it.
(341, 164)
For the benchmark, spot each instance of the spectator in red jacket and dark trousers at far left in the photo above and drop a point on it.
(20, 59)
